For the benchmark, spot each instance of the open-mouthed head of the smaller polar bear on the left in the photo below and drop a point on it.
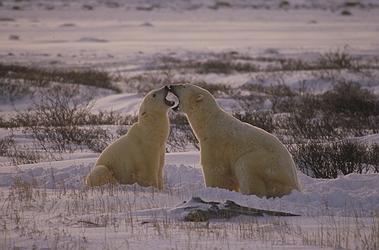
(155, 102)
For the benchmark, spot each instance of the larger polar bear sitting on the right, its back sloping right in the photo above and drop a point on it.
(235, 155)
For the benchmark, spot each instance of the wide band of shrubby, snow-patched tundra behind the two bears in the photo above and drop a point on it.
(329, 100)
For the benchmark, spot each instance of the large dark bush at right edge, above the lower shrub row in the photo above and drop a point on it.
(345, 111)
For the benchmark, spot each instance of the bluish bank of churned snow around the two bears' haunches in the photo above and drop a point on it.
(350, 195)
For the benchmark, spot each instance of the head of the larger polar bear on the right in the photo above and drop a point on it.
(191, 98)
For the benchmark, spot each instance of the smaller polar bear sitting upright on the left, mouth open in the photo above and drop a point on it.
(138, 156)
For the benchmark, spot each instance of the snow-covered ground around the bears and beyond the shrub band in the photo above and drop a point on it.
(46, 205)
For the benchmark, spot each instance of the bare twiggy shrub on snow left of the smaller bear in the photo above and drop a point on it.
(62, 120)
